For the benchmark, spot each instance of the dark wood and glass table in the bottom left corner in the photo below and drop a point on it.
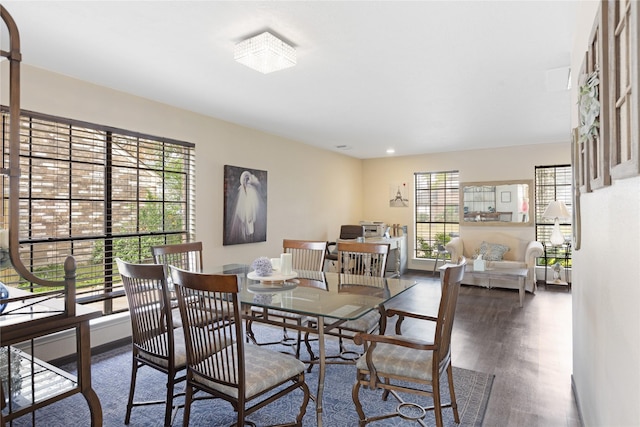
(27, 317)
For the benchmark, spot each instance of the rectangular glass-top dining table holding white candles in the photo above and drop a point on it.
(335, 297)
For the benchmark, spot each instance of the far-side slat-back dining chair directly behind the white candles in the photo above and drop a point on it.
(306, 255)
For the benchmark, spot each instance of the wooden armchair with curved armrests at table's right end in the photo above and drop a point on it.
(397, 364)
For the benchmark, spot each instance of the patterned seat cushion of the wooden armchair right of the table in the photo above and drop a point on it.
(400, 361)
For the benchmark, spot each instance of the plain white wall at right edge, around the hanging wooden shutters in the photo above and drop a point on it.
(606, 288)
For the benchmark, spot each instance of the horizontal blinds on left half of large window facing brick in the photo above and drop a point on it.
(61, 199)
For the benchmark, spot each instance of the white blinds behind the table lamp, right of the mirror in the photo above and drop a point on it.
(552, 183)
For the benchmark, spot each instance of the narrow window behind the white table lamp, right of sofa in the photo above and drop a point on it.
(554, 183)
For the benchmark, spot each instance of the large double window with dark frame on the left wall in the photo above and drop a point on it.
(96, 193)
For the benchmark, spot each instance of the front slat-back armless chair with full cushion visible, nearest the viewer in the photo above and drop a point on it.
(219, 362)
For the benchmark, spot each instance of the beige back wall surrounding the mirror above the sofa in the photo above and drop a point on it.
(500, 164)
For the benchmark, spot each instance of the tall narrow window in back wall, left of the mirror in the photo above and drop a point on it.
(437, 210)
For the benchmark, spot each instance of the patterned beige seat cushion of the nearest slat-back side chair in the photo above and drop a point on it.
(264, 369)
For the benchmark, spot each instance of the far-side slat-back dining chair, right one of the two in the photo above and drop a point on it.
(358, 261)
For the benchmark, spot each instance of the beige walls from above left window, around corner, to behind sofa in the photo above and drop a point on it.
(311, 191)
